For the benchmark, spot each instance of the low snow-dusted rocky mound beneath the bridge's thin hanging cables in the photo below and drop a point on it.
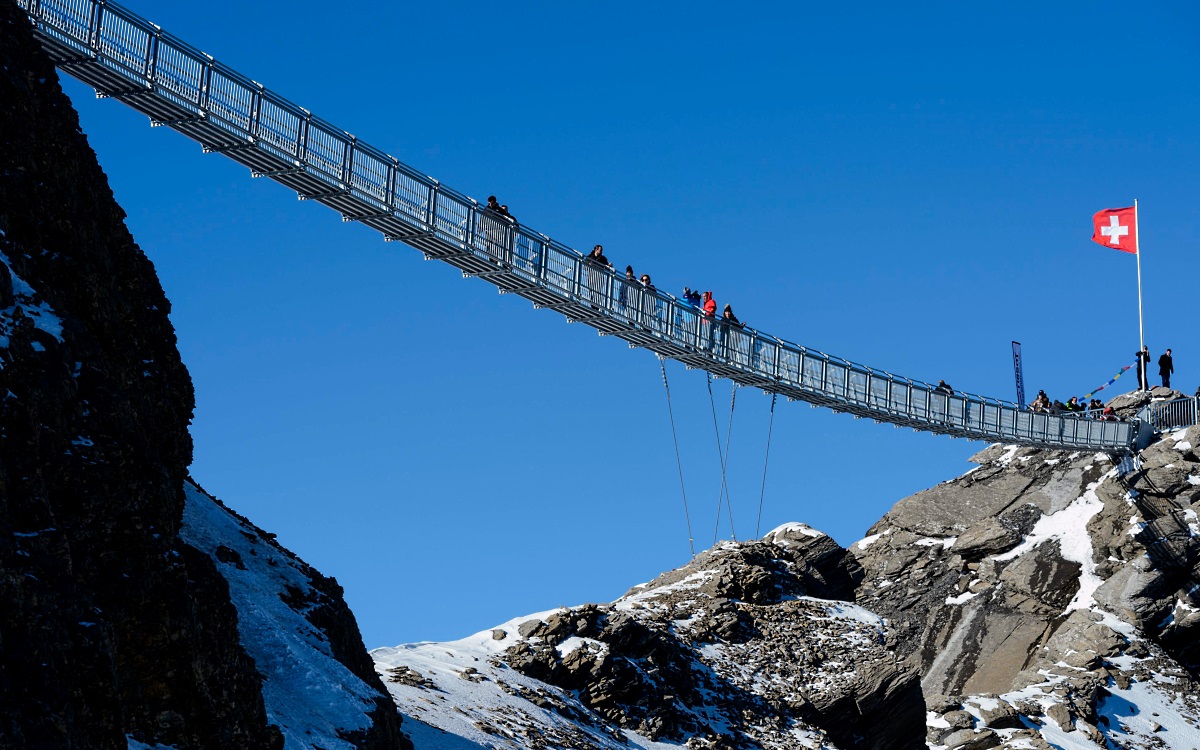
(749, 646)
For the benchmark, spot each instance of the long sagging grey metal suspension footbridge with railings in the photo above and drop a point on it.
(133, 61)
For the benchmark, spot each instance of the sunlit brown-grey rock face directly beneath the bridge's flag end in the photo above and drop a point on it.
(1046, 585)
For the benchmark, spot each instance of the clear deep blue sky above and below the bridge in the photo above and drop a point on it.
(909, 188)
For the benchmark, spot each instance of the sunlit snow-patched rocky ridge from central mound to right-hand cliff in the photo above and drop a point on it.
(1041, 601)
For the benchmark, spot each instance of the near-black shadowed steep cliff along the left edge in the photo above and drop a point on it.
(112, 628)
